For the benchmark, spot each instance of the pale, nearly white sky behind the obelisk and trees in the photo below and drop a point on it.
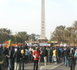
(25, 15)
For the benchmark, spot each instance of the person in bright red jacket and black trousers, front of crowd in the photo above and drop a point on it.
(36, 55)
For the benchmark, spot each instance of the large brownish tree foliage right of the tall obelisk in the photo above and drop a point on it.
(65, 34)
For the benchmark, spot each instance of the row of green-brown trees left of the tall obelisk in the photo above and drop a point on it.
(20, 37)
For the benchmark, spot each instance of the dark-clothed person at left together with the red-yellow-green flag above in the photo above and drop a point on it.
(8, 54)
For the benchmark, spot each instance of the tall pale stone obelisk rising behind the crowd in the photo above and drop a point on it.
(43, 35)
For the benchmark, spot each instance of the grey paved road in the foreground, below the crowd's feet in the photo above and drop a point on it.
(49, 66)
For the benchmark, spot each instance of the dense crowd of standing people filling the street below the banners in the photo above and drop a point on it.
(14, 57)
